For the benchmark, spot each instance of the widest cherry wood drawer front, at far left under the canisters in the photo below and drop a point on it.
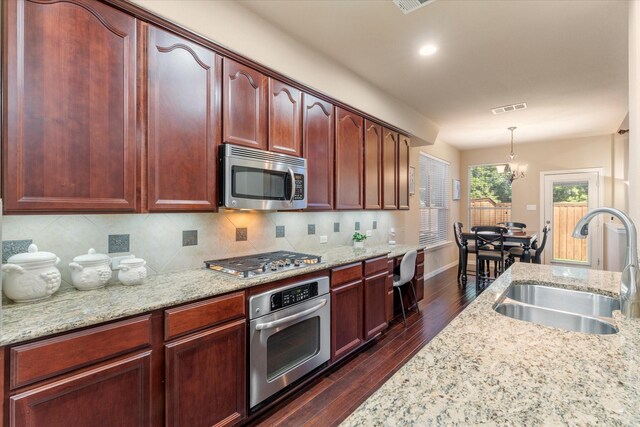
(44, 359)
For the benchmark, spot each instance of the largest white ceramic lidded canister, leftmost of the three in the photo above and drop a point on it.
(31, 276)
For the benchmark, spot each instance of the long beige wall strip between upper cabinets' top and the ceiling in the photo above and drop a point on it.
(241, 30)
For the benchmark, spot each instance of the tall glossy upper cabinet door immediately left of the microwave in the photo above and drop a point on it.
(184, 128)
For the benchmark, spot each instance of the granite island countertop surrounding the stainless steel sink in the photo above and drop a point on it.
(486, 368)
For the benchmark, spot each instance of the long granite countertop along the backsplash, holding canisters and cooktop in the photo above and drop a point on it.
(70, 309)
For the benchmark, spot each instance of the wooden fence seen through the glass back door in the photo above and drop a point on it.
(565, 218)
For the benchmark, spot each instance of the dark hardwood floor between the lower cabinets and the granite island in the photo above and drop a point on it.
(337, 393)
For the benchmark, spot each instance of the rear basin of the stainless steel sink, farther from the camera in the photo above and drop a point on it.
(578, 302)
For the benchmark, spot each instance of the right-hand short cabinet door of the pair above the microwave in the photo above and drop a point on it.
(284, 118)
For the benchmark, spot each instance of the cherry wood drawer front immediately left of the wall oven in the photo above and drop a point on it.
(192, 317)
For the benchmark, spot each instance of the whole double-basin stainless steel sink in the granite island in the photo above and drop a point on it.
(566, 309)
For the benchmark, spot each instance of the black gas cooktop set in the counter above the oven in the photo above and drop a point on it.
(270, 262)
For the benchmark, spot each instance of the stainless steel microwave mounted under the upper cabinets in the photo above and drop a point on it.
(257, 179)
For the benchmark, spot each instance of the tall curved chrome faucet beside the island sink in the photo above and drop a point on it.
(629, 295)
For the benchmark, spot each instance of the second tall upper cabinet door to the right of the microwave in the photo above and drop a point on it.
(349, 148)
